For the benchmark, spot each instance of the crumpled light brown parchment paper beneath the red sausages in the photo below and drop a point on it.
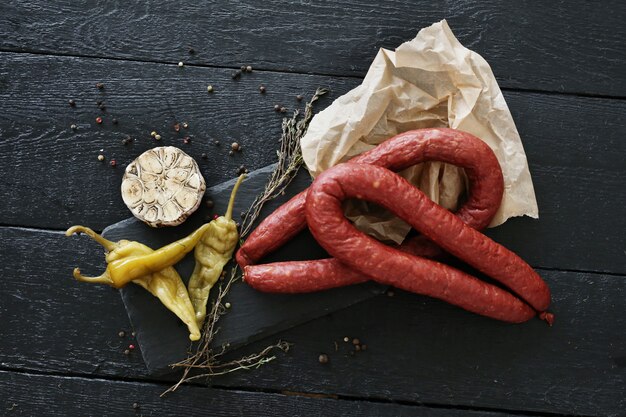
(430, 81)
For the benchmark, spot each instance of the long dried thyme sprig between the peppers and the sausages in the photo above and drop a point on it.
(205, 359)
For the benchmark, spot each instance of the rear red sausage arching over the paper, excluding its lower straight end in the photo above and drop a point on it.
(398, 153)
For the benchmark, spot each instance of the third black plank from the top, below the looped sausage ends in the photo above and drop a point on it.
(418, 350)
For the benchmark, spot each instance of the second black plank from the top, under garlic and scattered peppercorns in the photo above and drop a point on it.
(575, 147)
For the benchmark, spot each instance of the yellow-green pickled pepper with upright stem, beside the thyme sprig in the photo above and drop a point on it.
(212, 253)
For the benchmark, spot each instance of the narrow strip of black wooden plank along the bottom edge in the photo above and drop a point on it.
(31, 395)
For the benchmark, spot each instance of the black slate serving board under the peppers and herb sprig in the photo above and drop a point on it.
(163, 338)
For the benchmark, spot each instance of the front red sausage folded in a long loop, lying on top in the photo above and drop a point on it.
(362, 253)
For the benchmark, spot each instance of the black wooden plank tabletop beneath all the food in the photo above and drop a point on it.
(562, 67)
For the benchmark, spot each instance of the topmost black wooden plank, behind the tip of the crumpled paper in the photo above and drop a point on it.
(567, 46)
